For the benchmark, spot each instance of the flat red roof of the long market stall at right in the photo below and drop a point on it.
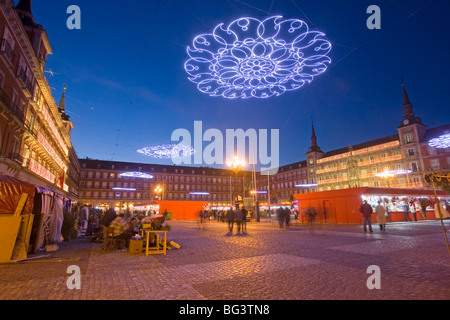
(371, 191)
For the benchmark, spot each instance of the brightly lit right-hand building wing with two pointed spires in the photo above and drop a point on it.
(361, 165)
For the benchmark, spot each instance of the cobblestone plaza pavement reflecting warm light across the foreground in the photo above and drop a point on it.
(268, 263)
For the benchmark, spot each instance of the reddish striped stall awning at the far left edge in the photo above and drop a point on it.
(11, 189)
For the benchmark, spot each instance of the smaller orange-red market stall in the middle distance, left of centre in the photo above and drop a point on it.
(181, 210)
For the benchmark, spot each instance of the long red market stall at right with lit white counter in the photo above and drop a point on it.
(342, 206)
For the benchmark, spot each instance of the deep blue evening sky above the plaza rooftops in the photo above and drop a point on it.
(125, 71)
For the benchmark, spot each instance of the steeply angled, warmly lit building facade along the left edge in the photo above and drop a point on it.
(35, 143)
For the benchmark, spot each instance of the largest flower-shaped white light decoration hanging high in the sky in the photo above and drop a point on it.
(252, 58)
